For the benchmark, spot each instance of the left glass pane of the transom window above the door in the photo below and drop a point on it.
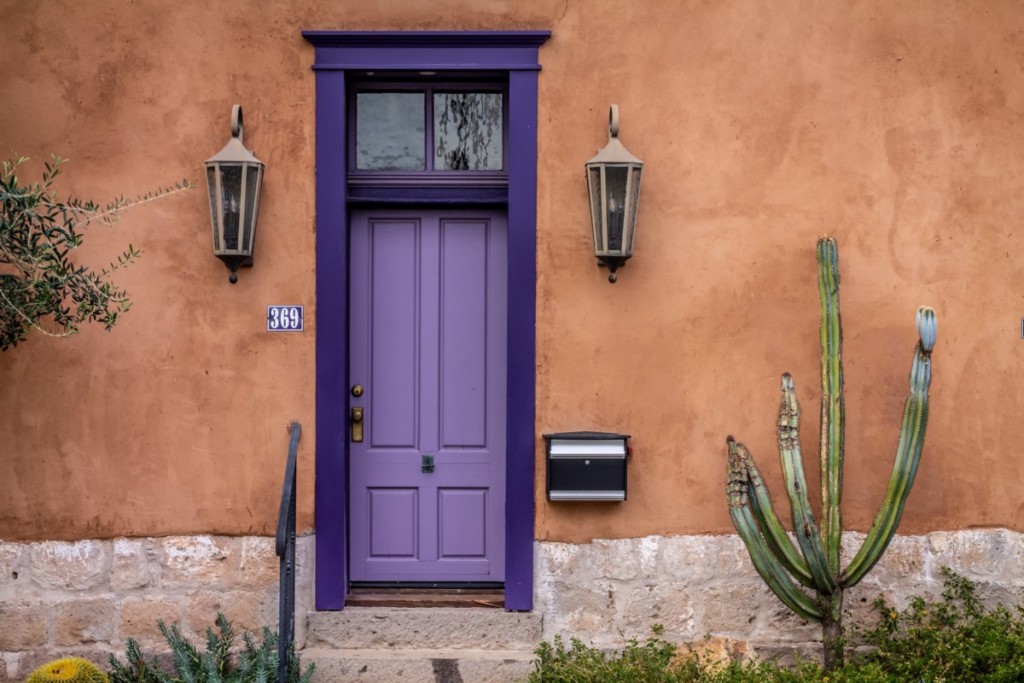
(390, 132)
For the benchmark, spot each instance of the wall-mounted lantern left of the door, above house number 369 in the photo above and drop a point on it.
(235, 178)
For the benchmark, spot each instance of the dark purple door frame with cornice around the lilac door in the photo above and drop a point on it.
(336, 54)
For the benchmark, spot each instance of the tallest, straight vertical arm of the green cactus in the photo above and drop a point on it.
(833, 408)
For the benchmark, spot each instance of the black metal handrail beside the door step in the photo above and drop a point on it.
(286, 551)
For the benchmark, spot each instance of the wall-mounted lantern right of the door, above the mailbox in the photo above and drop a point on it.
(614, 182)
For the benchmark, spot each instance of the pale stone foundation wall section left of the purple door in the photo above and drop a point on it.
(87, 599)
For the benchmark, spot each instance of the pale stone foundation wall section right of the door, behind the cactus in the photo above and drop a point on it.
(606, 592)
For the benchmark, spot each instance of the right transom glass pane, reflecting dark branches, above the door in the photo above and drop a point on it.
(468, 132)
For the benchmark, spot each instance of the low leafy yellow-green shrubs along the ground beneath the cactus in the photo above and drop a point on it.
(954, 641)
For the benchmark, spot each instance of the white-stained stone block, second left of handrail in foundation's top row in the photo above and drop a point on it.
(192, 562)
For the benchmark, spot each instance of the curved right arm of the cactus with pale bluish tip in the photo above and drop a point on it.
(912, 441)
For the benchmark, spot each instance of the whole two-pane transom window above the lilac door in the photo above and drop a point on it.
(429, 129)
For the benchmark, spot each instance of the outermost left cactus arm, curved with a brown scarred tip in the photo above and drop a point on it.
(764, 562)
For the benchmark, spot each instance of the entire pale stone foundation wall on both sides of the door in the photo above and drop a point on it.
(87, 599)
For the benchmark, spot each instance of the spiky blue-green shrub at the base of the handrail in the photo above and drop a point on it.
(257, 663)
